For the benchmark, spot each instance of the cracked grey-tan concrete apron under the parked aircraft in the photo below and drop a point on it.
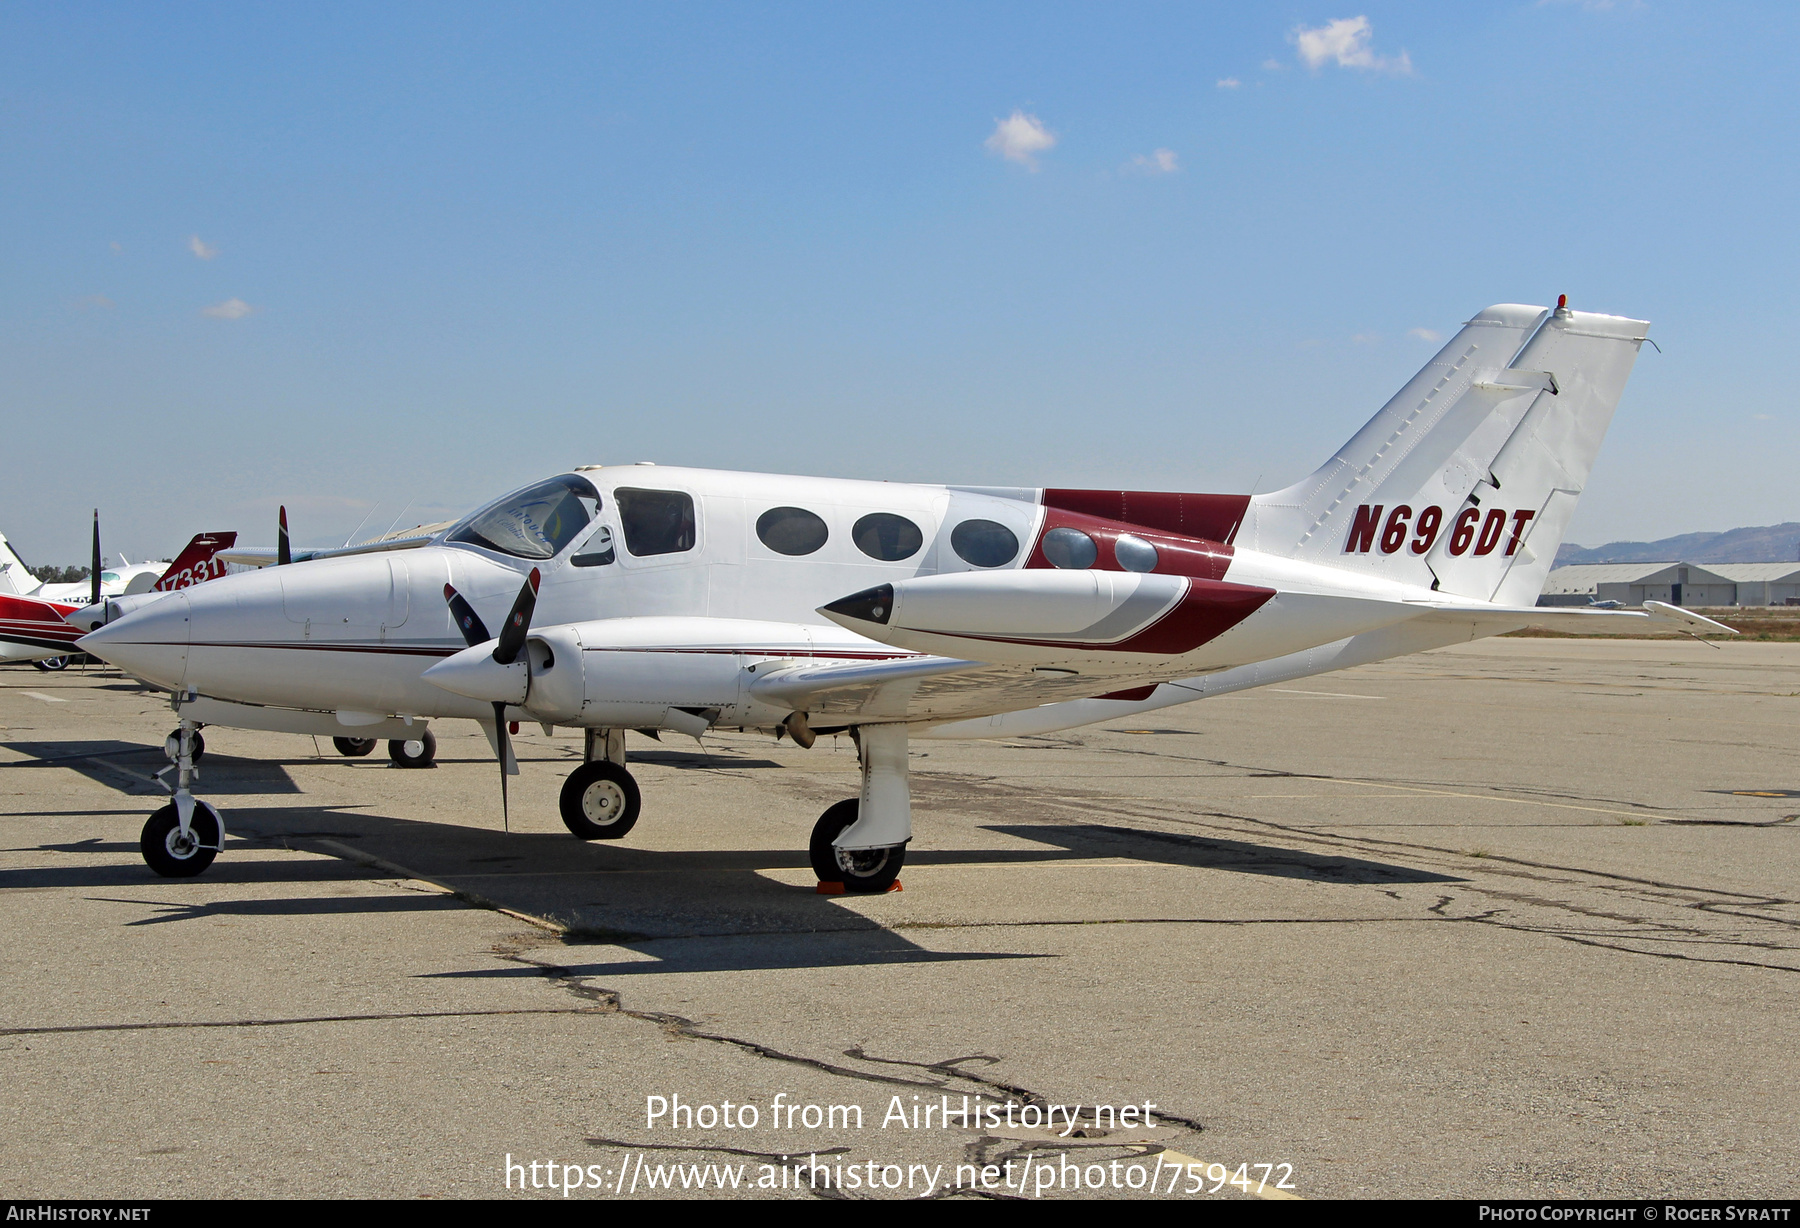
(1513, 919)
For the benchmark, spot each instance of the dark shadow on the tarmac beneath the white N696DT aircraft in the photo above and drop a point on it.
(679, 910)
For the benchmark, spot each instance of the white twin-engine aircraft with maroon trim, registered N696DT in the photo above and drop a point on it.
(676, 599)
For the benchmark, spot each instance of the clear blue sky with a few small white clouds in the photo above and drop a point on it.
(361, 257)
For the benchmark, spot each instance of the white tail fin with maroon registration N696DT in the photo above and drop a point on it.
(1468, 478)
